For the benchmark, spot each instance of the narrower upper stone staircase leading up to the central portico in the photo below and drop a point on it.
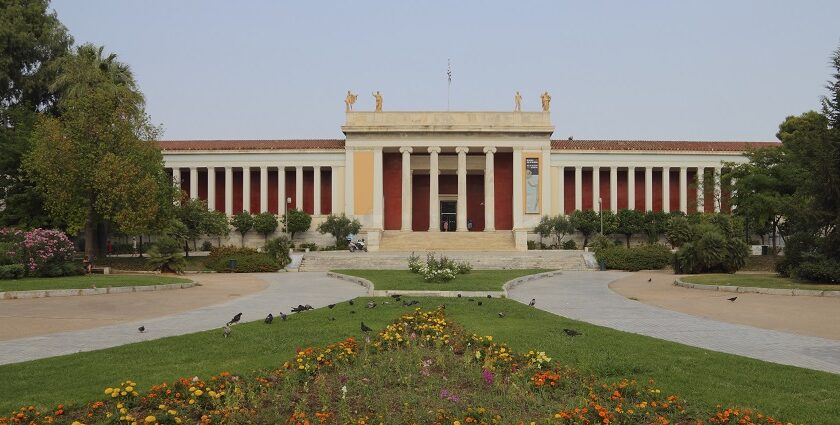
(396, 241)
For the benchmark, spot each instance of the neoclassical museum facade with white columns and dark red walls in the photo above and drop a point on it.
(433, 175)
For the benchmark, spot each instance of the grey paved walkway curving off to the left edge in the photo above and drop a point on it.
(284, 291)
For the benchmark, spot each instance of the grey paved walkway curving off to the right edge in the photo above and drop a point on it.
(586, 296)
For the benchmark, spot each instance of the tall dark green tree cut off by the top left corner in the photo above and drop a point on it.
(31, 41)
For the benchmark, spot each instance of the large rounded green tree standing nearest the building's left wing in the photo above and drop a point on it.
(97, 163)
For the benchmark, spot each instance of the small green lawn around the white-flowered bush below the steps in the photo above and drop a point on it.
(476, 280)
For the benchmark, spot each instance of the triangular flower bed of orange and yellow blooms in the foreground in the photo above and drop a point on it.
(420, 369)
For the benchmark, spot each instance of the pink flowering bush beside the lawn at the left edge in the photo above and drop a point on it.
(43, 252)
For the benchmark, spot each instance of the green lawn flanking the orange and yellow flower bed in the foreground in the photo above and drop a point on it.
(705, 378)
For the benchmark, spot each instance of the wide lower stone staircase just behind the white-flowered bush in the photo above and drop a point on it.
(487, 260)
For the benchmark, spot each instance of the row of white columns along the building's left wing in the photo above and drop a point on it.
(246, 188)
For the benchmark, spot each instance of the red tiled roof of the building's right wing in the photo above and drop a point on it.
(657, 145)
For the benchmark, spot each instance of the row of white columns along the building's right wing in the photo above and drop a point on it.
(631, 188)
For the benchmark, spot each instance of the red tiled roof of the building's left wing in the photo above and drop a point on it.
(238, 145)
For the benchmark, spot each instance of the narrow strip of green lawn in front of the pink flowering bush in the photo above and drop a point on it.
(84, 282)
